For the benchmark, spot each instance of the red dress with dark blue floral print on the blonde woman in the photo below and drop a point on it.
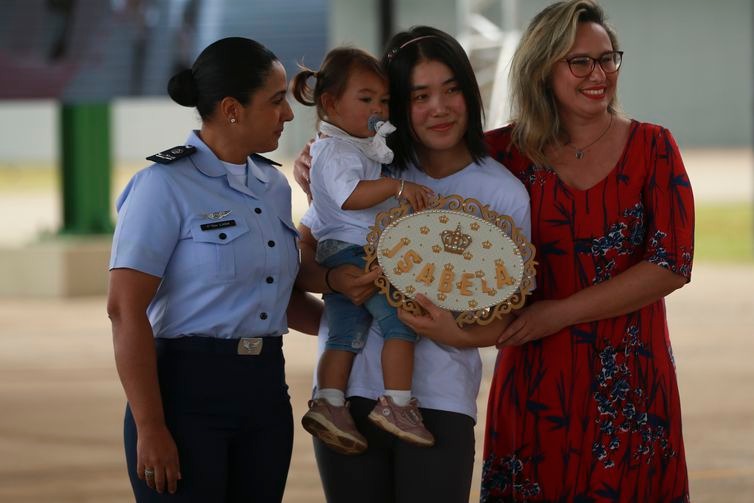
(591, 413)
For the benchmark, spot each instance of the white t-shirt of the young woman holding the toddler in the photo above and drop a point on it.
(445, 378)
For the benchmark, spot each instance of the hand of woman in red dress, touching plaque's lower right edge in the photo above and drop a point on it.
(533, 322)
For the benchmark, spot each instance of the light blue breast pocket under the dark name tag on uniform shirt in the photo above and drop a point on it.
(213, 246)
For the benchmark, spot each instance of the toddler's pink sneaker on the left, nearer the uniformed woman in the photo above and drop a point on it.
(334, 426)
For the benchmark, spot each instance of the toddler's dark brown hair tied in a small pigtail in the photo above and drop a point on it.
(332, 76)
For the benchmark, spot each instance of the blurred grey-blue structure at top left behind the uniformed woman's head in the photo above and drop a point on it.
(94, 50)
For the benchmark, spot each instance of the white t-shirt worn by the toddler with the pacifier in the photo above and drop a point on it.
(337, 167)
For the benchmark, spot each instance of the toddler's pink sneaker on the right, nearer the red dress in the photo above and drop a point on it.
(403, 422)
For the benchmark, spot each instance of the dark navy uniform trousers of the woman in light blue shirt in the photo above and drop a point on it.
(231, 418)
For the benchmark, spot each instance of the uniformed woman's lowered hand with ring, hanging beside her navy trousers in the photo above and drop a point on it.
(157, 459)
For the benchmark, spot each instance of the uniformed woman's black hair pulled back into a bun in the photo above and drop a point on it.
(230, 67)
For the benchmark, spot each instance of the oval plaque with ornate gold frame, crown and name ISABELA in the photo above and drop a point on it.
(460, 254)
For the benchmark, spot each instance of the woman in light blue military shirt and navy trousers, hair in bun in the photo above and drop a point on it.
(203, 264)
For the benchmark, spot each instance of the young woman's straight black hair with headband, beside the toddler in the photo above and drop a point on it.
(403, 52)
